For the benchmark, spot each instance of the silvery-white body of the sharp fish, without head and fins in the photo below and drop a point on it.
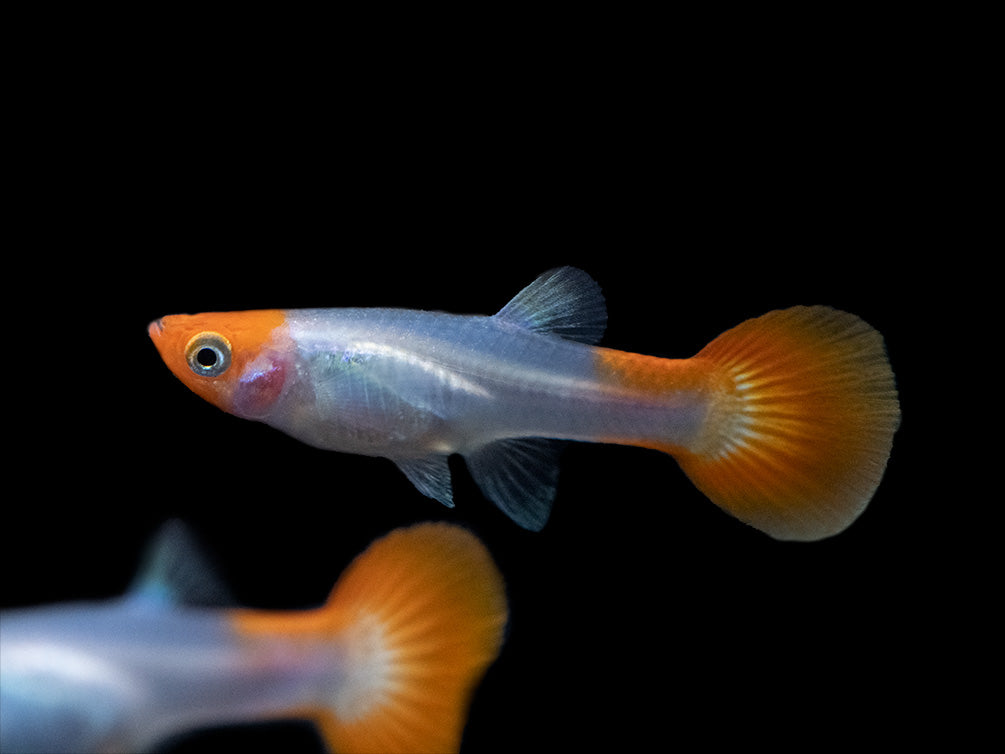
(407, 385)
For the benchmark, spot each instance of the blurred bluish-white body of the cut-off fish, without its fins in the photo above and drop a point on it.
(125, 675)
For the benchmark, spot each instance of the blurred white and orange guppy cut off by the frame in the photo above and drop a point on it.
(388, 664)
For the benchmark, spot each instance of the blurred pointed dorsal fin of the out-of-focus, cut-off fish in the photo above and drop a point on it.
(176, 573)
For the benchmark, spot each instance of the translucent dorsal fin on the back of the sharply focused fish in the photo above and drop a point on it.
(564, 302)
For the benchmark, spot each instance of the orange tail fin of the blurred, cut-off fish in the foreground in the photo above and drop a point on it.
(424, 613)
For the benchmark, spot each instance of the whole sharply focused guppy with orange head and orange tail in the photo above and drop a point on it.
(786, 422)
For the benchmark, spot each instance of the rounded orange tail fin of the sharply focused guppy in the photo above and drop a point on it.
(800, 432)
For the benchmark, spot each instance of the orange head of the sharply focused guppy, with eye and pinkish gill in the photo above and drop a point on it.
(237, 360)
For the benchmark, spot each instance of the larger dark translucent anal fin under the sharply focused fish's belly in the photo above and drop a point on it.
(520, 476)
